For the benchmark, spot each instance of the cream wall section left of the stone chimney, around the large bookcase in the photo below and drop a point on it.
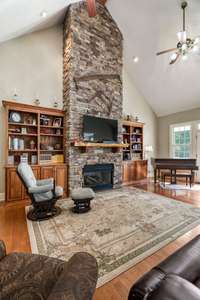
(33, 65)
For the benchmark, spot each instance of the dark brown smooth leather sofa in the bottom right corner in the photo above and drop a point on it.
(176, 278)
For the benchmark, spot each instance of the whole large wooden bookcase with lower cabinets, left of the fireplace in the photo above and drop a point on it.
(36, 135)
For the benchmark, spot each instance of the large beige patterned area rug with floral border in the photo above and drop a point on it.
(123, 227)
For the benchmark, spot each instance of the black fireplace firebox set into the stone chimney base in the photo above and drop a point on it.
(99, 176)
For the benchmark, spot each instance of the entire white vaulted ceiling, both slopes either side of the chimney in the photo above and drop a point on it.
(147, 26)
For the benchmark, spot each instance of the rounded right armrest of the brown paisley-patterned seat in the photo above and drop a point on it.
(78, 279)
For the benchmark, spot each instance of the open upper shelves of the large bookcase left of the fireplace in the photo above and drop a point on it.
(34, 133)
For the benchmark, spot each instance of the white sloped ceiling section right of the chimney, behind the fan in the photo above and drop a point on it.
(150, 26)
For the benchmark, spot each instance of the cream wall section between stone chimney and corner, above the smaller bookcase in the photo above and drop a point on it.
(135, 104)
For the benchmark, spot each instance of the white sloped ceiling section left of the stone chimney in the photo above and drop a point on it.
(18, 17)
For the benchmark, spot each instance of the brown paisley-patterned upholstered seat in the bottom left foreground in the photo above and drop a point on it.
(36, 277)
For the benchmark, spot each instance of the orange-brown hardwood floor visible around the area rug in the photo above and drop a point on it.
(13, 231)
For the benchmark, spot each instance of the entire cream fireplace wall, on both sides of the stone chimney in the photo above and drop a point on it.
(33, 65)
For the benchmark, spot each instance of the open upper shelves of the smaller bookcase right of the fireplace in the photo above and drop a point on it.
(133, 135)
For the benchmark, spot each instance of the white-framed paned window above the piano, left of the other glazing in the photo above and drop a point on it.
(181, 141)
